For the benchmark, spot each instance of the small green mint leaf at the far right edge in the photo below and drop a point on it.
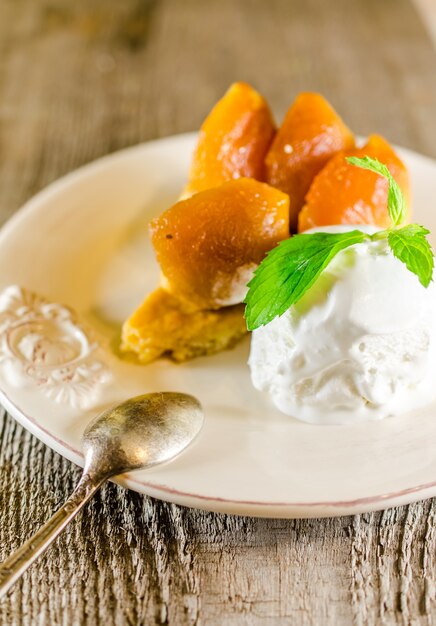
(411, 247)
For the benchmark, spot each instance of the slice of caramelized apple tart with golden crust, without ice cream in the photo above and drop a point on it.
(249, 187)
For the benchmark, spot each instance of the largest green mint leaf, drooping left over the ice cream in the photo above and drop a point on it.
(289, 270)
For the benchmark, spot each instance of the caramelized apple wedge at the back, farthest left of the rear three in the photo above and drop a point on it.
(233, 140)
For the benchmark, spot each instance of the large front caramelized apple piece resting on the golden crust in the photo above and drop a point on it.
(209, 245)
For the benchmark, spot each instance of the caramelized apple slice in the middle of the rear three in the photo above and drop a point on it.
(311, 133)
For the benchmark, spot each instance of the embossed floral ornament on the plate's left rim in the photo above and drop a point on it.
(44, 344)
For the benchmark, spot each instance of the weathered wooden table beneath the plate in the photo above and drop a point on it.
(81, 79)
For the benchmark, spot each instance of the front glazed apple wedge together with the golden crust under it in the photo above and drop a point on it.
(208, 247)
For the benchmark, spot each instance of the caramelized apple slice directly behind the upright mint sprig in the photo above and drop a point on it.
(345, 194)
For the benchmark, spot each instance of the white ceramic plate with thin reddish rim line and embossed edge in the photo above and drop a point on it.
(83, 243)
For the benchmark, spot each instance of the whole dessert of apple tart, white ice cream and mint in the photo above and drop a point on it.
(312, 232)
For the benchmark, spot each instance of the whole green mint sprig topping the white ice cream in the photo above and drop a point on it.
(291, 268)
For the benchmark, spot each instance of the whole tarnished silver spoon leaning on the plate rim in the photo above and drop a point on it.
(138, 433)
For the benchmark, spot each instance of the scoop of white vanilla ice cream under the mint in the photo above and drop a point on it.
(359, 345)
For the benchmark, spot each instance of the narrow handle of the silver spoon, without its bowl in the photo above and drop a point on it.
(21, 559)
